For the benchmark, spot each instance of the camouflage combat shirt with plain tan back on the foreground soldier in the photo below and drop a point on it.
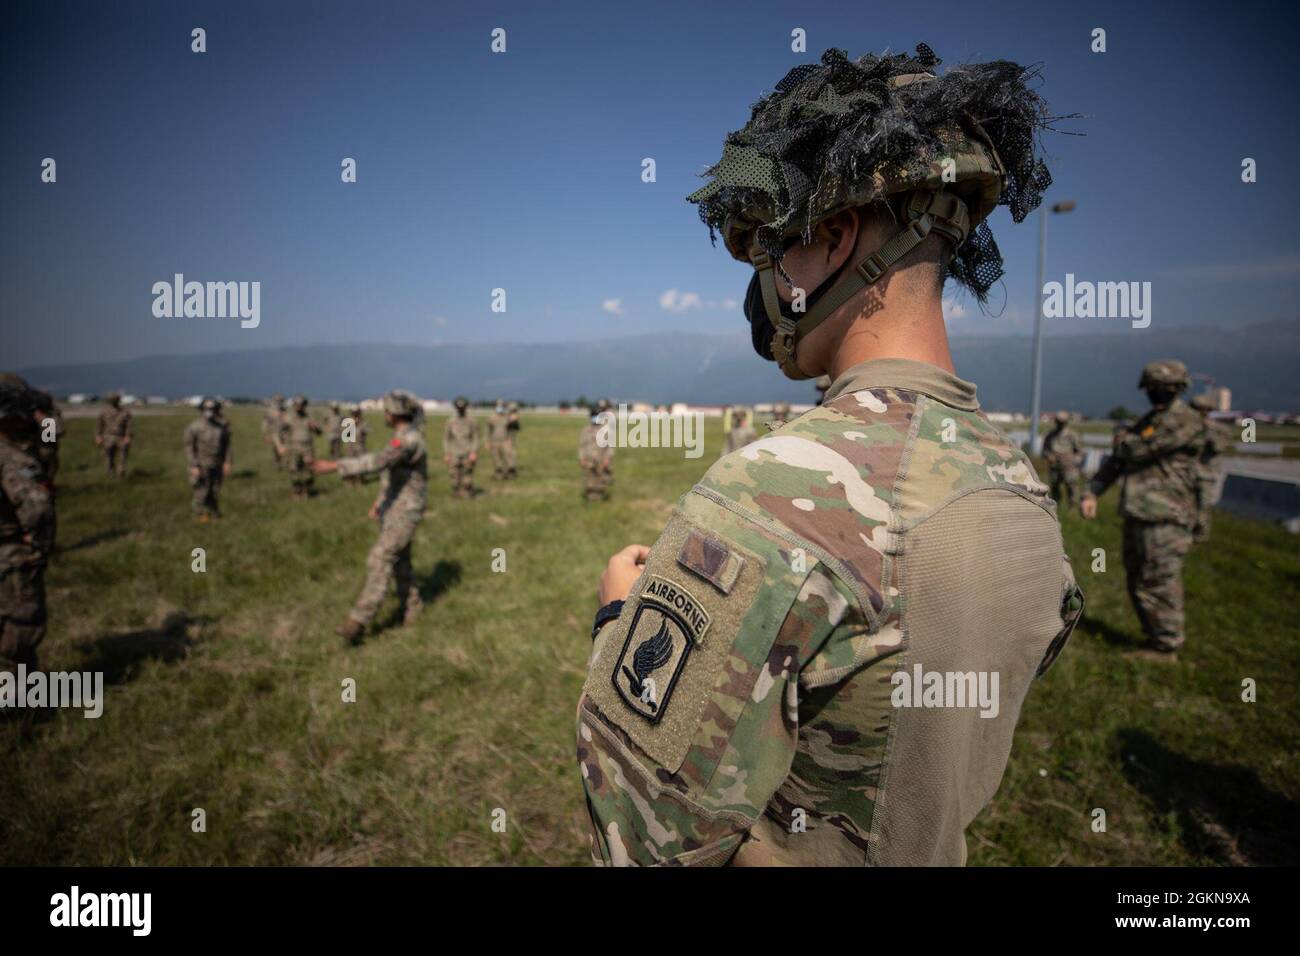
(753, 703)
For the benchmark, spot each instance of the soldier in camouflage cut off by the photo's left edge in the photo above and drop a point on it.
(27, 527)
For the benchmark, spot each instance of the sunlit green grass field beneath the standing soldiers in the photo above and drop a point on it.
(226, 687)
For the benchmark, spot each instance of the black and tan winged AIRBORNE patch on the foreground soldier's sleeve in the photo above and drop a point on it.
(668, 625)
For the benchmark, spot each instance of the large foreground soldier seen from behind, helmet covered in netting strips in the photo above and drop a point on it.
(753, 694)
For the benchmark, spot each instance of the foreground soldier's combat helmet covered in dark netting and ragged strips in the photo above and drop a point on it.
(941, 152)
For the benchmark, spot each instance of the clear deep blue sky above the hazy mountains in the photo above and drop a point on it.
(522, 171)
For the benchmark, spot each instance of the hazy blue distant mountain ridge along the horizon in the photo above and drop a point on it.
(1091, 374)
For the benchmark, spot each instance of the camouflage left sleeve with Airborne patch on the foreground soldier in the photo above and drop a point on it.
(688, 723)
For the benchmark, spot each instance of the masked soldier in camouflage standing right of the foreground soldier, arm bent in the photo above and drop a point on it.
(1158, 464)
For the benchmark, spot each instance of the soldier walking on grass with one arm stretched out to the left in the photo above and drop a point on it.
(404, 490)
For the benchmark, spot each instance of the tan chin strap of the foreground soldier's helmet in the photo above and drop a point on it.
(928, 211)
